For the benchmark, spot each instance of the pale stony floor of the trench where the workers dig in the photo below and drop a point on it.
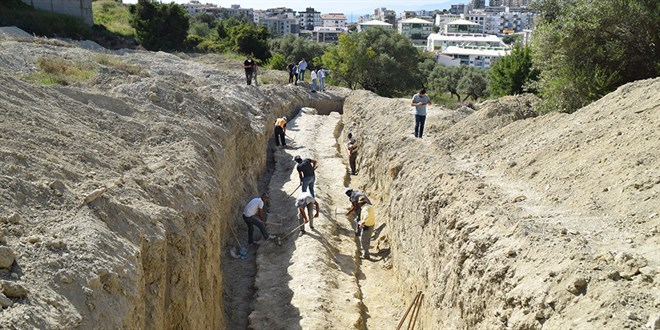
(314, 280)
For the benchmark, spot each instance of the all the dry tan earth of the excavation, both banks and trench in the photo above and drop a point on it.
(504, 220)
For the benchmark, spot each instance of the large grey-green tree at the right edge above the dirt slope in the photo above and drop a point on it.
(586, 48)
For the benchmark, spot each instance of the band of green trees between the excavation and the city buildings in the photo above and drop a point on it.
(580, 51)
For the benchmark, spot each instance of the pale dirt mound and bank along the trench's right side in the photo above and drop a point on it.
(507, 220)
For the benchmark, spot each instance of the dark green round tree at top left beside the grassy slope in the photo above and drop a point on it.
(159, 26)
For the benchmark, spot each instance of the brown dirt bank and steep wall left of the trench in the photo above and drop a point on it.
(178, 151)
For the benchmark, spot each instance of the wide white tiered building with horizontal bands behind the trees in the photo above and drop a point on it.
(458, 44)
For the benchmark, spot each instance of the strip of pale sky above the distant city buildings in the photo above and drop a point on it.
(355, 7)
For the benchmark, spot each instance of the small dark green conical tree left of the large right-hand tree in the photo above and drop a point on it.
(513, 73)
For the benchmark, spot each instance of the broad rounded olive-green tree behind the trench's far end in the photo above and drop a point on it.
(382, 61)
